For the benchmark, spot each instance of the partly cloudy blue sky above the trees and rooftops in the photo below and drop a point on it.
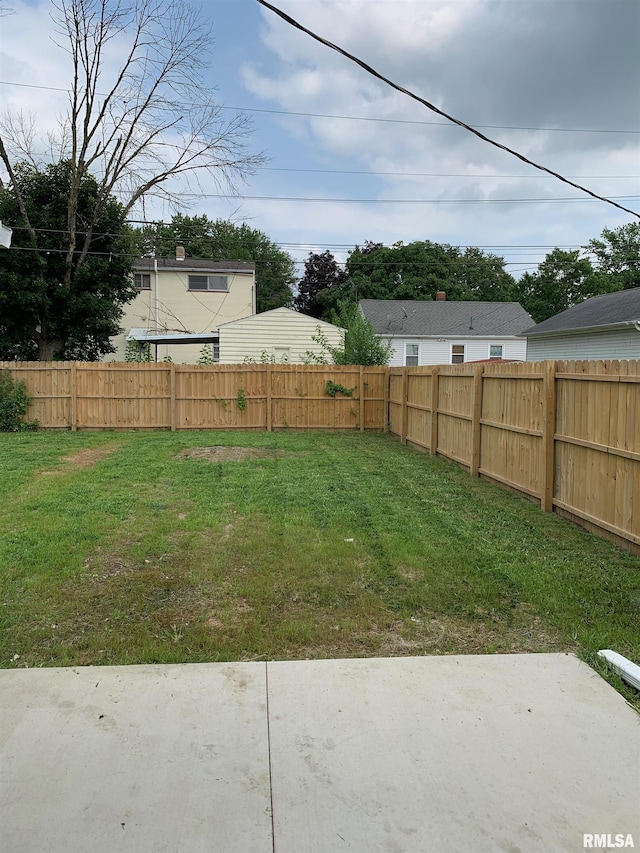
(348, 159)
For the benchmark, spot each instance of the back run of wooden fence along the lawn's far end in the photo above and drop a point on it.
(113, 395)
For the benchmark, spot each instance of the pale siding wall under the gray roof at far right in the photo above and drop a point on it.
(620, 344)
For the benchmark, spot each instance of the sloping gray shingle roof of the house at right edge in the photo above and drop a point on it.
(608, 309)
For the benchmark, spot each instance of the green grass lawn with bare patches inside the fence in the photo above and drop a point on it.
(120, 548)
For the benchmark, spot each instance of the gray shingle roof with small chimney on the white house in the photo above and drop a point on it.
(463, 319)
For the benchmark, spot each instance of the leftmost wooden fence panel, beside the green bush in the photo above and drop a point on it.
(49, 385)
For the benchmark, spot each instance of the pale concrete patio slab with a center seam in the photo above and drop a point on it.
(408, 755)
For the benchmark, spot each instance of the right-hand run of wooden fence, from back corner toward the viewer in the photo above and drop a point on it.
(566, 432)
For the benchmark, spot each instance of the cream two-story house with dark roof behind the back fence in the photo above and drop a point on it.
(181, 302)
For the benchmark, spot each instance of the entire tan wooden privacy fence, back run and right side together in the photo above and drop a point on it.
(565, 433)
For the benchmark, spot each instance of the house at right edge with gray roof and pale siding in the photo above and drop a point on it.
(603, 327)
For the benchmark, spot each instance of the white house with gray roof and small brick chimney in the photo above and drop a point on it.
(442, 332)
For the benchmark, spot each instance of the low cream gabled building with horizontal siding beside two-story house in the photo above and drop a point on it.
(270, 334)
